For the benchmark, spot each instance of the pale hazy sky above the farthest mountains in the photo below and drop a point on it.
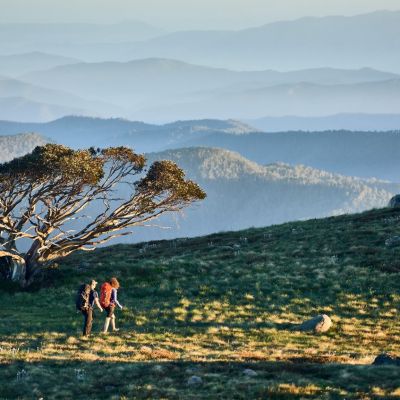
(184, 14)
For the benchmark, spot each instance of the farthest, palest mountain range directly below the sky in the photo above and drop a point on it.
(337, 41)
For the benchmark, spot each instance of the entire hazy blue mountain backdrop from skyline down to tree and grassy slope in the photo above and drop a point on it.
(306, 110)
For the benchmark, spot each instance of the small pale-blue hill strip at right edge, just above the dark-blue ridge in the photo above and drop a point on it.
(346, 121)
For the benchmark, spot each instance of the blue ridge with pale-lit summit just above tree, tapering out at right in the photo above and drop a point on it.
(87, 132)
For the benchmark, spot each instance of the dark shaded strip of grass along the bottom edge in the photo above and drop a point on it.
(160, 379)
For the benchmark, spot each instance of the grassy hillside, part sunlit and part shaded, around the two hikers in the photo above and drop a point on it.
(212, 307)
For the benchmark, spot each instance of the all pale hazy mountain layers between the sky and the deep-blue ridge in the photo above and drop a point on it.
(136, 71)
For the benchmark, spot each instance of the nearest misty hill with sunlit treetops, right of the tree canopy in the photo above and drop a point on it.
(241, 193)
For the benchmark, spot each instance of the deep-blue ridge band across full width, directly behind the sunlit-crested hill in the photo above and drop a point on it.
(363, 154)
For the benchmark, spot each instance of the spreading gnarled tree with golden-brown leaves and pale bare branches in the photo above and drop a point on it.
(43, 192)
